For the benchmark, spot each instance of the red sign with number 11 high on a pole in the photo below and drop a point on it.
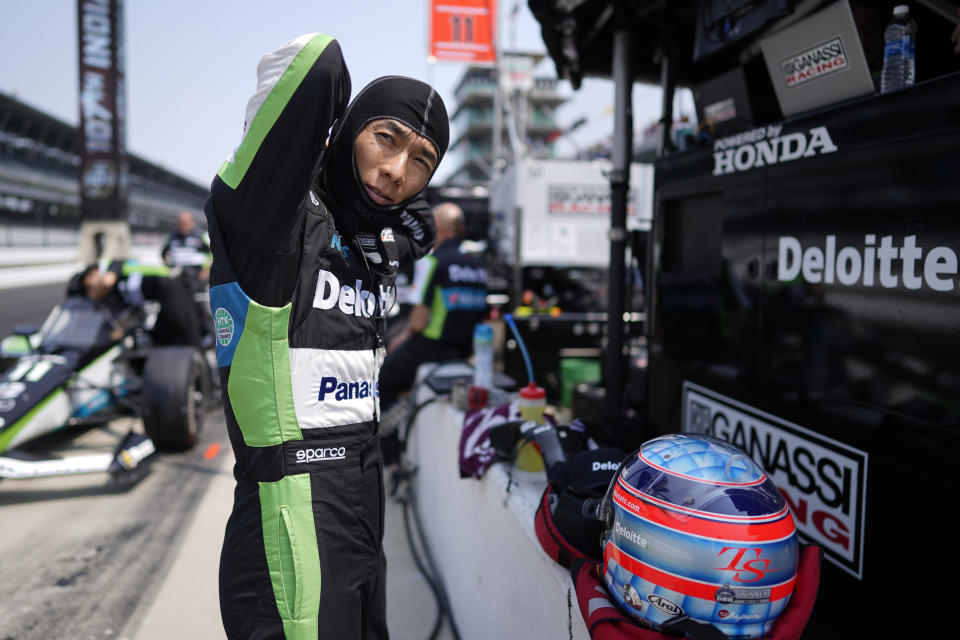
(463, 30)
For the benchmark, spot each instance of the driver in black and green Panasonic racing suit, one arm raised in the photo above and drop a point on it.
(306, 241)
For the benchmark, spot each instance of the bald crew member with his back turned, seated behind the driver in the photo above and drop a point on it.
(450, 296)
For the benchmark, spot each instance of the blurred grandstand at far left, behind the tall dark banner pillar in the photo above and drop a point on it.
(39, 182)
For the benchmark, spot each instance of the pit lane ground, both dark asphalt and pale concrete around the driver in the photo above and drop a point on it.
(87, 561)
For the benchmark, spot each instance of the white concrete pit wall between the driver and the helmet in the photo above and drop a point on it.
(499, 581)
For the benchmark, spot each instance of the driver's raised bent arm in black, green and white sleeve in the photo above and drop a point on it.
(302, 88)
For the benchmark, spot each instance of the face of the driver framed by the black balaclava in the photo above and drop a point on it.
(394, 162)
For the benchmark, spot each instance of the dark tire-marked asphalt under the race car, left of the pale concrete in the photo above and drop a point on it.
(78, 556)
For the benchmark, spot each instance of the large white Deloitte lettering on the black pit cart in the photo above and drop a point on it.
(870, 265)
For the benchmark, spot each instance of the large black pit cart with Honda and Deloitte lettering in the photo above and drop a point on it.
(803, 294)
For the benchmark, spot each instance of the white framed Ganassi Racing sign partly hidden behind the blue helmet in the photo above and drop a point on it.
(823, 481)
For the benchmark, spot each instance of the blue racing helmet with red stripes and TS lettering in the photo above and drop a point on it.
(694, 527)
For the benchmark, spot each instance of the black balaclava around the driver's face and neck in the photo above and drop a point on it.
(415, 104)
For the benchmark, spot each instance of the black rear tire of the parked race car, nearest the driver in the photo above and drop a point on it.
(174, 388)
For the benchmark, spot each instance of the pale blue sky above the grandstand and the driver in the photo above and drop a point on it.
(191, 65)
